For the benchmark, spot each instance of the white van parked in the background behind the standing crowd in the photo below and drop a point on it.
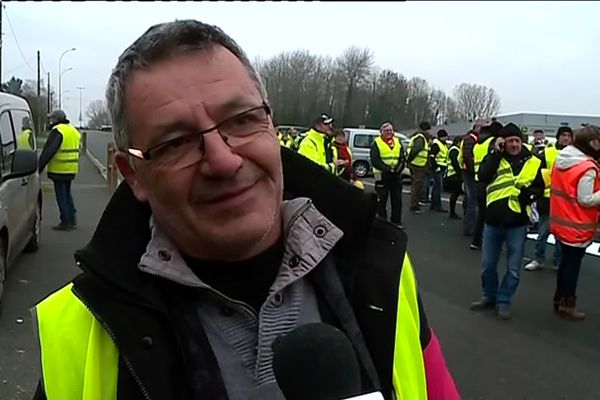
(360, 141)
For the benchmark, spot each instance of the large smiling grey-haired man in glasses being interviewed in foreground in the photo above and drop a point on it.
(198, 265)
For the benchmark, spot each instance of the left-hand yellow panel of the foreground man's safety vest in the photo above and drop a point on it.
(79, 359)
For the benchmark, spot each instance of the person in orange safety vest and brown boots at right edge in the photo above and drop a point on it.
(574, 202)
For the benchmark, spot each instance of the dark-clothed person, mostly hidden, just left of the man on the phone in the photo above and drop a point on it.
(467, 160)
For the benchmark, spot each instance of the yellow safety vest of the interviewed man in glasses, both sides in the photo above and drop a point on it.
(80, 360)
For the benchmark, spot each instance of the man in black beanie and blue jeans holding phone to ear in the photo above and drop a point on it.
(513, 179)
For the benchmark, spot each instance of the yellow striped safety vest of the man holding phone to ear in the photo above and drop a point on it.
(506, 185)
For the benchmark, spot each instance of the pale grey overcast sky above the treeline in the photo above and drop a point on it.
(538, 56)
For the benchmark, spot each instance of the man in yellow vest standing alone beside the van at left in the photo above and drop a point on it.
(61, 155)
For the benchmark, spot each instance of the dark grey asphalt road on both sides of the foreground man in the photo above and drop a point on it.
(533, 356)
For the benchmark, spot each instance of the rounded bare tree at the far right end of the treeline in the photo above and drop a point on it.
(476, 101)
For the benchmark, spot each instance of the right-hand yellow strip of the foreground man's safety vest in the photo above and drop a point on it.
(410, 382)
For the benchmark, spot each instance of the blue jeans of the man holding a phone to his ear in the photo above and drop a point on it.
(493, 238)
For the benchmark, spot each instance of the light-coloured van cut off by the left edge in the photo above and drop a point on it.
(20, 188)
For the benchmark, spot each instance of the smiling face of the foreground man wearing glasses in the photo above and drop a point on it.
(226, 206)
